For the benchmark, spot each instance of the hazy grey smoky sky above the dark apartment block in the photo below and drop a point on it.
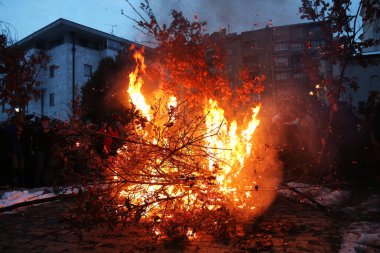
(237, 15)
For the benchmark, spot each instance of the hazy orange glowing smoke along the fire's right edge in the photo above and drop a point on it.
(263, 168)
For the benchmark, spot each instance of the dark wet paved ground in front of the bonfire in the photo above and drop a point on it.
(288, 226)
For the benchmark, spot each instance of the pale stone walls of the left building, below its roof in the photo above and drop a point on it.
(57, 94)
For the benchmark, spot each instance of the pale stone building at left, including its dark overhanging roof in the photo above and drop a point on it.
(75, 52)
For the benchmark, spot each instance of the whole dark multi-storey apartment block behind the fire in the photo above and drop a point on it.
(279, 54)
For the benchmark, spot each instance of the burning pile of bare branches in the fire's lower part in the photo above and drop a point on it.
(162, 183)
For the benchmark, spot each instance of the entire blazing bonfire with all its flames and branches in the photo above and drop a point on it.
(185, 165)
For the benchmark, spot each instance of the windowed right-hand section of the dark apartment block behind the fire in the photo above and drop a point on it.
(290, 43)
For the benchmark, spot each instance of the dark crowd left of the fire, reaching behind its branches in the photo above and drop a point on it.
(34, 153)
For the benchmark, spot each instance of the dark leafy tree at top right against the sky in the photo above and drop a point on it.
(343, 20)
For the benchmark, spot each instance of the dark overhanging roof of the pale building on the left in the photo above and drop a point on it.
(61, 26)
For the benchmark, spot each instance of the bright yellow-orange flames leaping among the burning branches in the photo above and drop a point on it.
(228, 143)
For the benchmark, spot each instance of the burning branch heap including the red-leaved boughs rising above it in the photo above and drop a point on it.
(159, 176)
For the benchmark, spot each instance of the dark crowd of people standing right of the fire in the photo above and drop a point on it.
(313, 146)
